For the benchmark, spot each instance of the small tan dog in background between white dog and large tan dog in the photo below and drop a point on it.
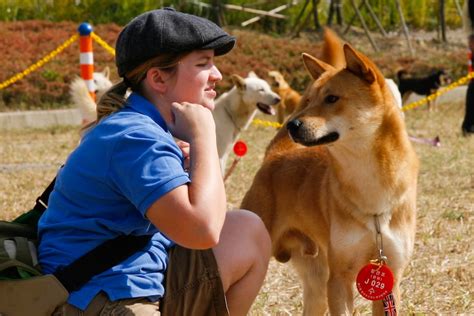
(289, 97)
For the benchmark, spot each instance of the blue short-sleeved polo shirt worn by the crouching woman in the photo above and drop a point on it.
(123, 165)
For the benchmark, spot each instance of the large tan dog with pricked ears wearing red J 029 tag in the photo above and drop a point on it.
(341, 167)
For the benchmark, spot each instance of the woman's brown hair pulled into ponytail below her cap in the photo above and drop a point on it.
(114, 98)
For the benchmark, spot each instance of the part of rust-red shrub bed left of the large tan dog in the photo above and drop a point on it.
(25, 43)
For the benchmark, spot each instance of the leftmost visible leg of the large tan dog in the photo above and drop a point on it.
(314, 274)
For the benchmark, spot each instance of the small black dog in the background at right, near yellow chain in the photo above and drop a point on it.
(421, 85)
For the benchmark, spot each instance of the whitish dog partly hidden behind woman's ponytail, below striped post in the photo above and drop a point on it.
(81, 98)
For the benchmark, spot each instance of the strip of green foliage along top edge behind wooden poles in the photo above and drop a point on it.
(418, 13)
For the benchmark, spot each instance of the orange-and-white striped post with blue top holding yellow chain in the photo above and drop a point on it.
(87, 57)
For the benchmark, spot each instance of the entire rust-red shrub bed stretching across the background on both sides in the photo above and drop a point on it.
(26, 42)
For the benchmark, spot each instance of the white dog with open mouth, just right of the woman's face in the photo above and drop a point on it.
(235, 110)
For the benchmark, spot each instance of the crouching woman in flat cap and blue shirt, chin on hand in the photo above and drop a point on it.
(129, 176)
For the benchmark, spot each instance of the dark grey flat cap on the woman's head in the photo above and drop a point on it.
(167, 31)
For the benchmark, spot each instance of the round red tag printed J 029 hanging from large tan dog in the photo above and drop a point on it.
(374, 281)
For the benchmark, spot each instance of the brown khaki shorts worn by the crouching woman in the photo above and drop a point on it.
(193, 287)
